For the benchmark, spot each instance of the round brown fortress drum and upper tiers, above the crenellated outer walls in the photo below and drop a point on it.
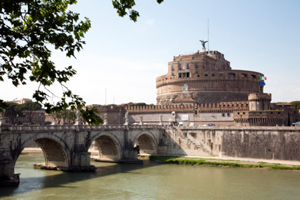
(205, 77)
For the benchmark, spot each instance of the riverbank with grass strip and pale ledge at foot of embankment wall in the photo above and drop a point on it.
(229, 162)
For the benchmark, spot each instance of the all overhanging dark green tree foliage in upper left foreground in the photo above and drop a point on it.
(29, 28)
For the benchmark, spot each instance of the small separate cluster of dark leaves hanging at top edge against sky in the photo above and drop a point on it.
(124, 7)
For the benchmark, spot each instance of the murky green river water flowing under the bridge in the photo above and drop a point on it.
(151, 181)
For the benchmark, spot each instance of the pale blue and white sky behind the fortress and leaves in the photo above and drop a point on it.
(124, 58)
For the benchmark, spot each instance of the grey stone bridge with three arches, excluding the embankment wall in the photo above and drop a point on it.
(66, 147)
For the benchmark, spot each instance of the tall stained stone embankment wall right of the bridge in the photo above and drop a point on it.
(279, 143)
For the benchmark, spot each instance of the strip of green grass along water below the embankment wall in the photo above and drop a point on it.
(221, 163)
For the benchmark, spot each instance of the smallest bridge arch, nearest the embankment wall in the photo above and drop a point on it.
(146, 142)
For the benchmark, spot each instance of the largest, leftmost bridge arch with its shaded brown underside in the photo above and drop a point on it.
(55, 150)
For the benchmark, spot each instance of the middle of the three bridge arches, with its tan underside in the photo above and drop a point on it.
(109, 147)
